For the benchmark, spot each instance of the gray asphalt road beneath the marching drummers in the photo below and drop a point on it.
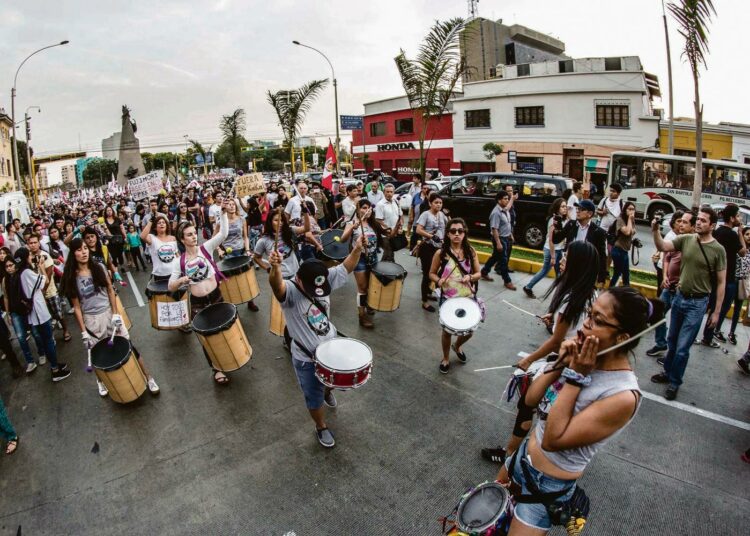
(243, 459)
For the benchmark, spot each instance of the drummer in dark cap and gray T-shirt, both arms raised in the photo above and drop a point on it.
(306, 304)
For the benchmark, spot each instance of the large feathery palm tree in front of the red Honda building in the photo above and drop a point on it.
(430, 79)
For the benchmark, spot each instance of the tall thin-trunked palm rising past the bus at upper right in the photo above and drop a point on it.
(692, 17)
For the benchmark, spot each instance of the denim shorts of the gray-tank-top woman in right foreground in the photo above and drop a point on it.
(535, 515)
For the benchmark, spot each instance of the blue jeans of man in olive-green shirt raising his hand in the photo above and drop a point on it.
(685, 323)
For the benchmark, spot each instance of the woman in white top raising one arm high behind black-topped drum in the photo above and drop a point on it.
(196, 269)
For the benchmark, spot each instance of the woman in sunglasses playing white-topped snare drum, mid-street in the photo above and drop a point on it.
(455, 270)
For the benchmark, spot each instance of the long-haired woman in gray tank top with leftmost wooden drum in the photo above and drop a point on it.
(88, 287)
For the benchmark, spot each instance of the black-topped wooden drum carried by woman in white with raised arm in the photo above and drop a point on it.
(222, 336)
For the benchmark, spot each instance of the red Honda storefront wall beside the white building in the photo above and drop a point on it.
(398, 154)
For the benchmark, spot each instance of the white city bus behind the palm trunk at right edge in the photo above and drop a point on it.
(655, 181)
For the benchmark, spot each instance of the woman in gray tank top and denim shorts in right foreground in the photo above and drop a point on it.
(583, 402)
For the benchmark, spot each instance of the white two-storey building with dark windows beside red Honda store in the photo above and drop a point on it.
(560, 117)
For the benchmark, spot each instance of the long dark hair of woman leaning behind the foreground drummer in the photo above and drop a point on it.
(577, 284)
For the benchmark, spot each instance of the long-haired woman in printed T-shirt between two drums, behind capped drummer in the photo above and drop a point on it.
(364, 224)
